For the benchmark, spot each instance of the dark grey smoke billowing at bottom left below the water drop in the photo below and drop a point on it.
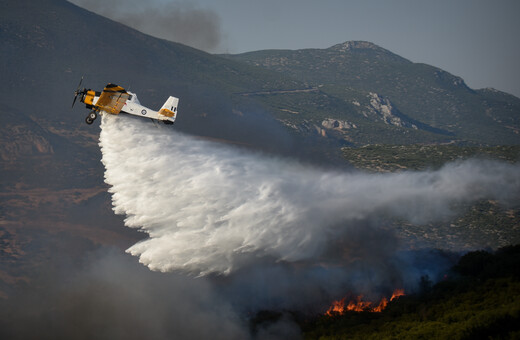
(109, 296)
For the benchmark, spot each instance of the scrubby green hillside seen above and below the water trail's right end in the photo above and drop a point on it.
(487, 222)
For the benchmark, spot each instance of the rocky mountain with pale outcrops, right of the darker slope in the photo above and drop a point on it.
(365, 80)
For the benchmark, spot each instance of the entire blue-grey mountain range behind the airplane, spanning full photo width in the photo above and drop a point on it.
(304, 101)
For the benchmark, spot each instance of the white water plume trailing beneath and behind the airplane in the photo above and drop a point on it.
(211, 208)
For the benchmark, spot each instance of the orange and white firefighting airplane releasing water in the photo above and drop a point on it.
(114, 99)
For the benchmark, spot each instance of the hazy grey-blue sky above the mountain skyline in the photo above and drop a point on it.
(474, 39)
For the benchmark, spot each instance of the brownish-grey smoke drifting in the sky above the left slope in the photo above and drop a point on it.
(180, 22)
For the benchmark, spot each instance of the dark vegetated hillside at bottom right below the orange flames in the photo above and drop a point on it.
(479, 299)
